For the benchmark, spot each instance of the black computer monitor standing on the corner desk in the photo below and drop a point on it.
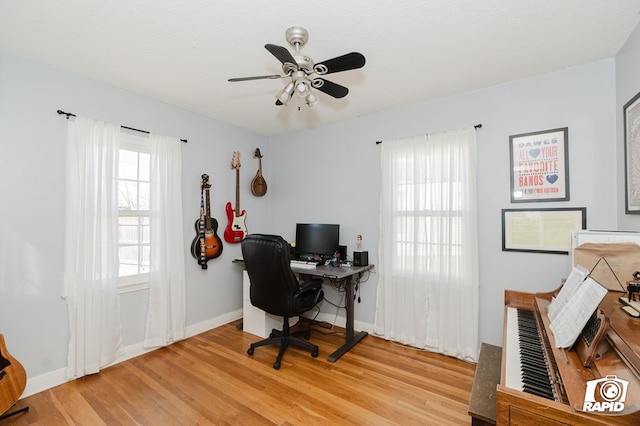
(316, 240)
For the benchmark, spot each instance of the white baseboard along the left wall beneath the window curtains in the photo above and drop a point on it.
(57, 377)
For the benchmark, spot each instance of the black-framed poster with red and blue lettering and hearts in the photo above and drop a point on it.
(540, 166)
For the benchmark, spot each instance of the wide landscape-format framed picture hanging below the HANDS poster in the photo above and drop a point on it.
(541, 230)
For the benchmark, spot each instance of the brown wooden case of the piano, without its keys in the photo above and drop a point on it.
(622, 359)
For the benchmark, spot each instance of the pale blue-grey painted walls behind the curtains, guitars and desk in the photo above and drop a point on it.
(329, 174)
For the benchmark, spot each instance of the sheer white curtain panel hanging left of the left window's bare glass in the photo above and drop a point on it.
(91, 265)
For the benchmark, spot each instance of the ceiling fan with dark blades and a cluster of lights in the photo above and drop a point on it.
(303, 73)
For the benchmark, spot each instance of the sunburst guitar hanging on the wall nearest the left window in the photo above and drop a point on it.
(206, 245)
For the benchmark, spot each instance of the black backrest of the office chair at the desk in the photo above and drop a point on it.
(273, 285)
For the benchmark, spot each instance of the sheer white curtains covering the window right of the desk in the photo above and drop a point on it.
(428, 253)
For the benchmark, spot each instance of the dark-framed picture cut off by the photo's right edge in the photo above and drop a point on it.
(632, 155)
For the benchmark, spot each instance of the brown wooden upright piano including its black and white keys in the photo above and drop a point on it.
(544, 385)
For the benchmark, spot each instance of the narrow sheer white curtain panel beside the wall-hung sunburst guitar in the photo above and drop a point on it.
(166, 315)
